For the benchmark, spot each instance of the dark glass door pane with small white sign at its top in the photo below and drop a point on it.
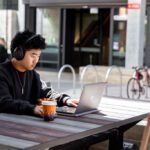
(87, 46)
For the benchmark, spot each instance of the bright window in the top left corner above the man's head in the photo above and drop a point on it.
(12, 19)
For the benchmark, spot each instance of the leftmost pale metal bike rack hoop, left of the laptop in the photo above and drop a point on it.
(73, 72)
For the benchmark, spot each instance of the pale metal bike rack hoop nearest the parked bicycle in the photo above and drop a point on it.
(108, 73)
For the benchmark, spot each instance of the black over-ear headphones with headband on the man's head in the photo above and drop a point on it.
(19, 52)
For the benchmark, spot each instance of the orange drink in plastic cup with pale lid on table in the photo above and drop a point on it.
(49, 110)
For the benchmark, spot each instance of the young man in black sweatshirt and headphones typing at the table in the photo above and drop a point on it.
(20, 84)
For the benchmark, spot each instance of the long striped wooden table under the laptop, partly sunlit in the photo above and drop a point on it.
(114, 118)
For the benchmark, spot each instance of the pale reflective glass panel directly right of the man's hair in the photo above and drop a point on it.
(50, 29)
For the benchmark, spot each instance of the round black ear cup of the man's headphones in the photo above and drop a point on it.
(18, 53)
